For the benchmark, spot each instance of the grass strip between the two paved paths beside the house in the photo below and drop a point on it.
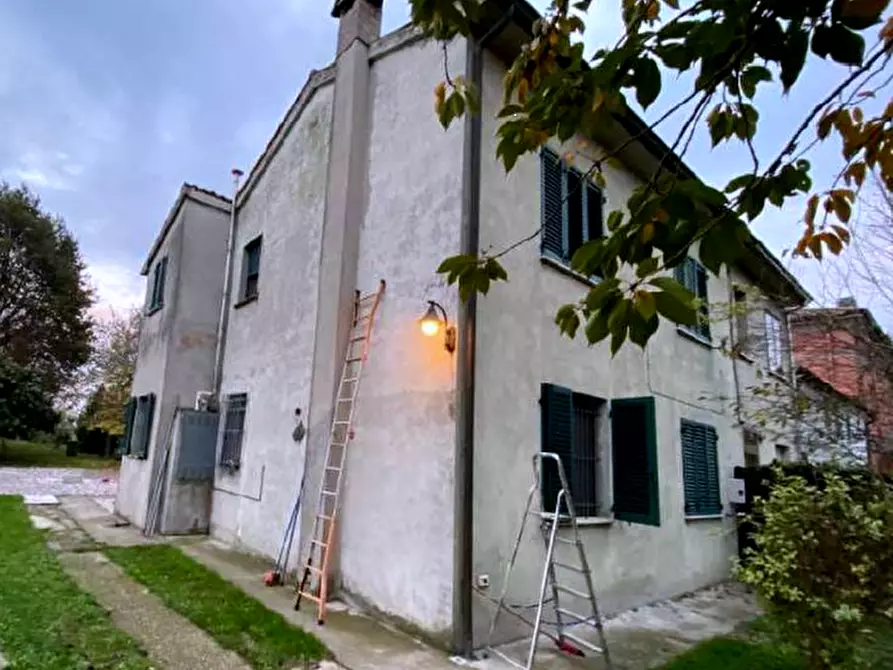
(233, 618)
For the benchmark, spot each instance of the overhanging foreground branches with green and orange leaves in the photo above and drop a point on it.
(733, 47)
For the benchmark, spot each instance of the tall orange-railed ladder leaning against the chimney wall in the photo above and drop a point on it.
(313, 584)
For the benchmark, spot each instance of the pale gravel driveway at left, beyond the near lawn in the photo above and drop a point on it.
(58, 481)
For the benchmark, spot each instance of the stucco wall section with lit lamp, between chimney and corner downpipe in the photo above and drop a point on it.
(396, 531)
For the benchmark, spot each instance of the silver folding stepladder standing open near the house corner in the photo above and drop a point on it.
(555, 575)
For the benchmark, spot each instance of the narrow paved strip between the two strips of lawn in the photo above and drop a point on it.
(171, 641)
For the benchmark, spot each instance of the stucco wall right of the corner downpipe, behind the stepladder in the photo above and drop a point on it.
(519, 347)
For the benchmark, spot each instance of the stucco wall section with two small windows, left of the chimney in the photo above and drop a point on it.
(269, 345)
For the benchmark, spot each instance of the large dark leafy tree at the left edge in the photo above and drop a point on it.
(44, 296)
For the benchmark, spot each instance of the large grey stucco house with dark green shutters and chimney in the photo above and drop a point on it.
(360, 183)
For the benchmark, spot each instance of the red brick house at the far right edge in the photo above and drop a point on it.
(844, 347)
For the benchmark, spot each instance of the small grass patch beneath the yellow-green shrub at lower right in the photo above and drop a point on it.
(760, 649)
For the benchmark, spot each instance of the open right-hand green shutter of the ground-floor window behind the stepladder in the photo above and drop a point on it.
(634, 452)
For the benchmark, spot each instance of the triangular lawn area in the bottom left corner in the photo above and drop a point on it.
(46, 621)
